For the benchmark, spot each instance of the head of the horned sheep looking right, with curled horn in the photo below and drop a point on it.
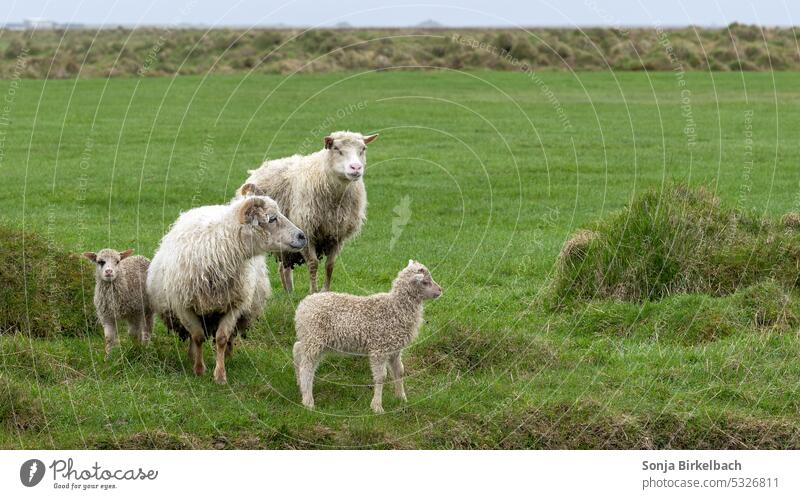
(265, 227)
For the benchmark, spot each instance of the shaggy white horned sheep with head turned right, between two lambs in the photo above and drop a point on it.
(209, 275)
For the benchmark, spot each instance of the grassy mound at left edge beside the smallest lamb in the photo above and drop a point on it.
(44, 291)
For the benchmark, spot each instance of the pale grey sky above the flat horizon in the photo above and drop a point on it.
(406, 13)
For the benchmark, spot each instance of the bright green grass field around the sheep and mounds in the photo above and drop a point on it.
(497, 170)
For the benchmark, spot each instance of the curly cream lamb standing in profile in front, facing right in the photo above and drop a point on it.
(378, 326)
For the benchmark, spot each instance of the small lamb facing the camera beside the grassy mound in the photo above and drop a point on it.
(120, 294)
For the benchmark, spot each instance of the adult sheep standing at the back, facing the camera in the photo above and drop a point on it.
(324, 194)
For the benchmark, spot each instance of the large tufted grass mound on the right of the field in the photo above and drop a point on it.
(679, 240)
